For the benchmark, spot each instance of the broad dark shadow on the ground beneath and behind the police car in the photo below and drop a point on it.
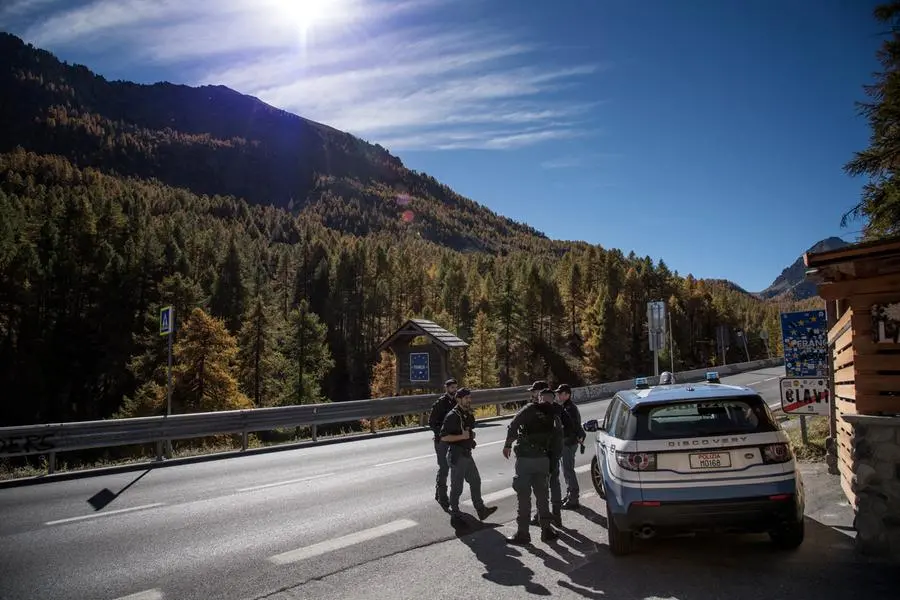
(732, 567)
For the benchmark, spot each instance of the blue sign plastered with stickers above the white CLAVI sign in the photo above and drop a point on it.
(805, 337)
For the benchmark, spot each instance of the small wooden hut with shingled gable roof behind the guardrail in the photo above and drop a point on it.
(422, 350)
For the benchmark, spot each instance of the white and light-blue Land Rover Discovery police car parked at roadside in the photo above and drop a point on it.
(695, 457)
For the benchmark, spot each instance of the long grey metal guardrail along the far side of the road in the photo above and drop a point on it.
(51, 438)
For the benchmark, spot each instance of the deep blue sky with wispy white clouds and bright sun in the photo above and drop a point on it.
(709, 133)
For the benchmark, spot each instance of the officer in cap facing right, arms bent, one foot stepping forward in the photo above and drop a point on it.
(457, 432)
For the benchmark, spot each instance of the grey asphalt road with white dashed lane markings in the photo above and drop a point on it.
(356, 519)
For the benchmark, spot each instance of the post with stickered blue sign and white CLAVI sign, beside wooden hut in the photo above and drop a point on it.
(805, 387)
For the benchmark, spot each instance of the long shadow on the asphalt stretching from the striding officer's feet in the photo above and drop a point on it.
(500, 560)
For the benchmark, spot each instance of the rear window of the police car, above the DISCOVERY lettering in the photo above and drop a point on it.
(698, 418)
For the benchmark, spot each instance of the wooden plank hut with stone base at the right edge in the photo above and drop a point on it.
(861, 287)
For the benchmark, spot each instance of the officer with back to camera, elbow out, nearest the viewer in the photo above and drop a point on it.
(538, 434)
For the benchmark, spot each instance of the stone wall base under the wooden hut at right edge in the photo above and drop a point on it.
(875, 484)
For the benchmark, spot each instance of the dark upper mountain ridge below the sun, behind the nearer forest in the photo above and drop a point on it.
(214, 140)
